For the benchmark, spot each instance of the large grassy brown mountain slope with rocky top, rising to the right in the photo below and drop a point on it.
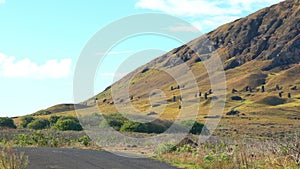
(260, 57)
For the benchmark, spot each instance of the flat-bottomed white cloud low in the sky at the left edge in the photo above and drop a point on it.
(25, 68)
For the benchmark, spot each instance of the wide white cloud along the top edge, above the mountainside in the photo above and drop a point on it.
(196, 8)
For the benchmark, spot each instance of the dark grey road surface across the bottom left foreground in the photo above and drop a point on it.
(59, 158)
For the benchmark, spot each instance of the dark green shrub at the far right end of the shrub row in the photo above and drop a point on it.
(195, 127)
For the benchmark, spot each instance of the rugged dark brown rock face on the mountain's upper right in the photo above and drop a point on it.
(269, 34)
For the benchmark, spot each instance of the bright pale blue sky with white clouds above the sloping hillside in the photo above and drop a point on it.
(40, 42)
